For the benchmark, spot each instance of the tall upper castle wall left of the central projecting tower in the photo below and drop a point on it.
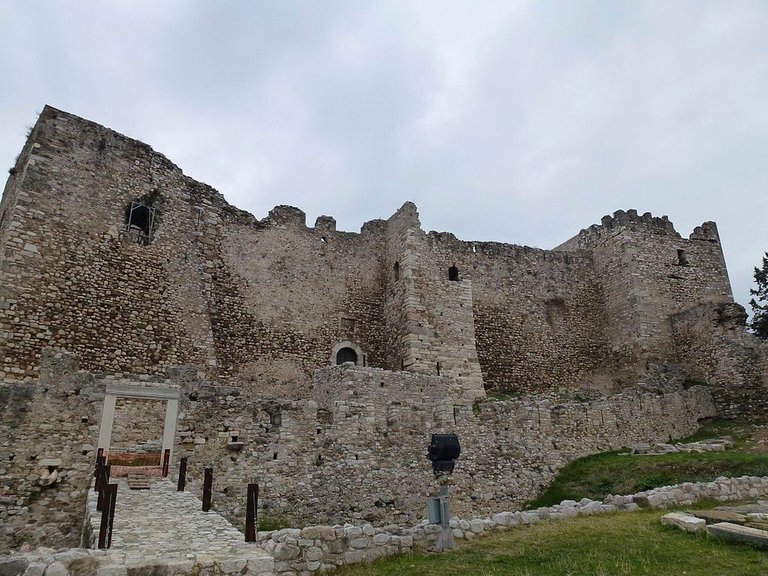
(254, 301)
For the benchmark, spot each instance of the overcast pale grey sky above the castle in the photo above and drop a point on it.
(518, 122)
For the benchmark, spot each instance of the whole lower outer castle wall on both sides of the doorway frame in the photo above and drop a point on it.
(357, 453)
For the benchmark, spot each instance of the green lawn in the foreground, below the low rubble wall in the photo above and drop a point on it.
(611, 544)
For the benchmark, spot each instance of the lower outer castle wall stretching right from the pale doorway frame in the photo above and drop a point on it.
(362, 457)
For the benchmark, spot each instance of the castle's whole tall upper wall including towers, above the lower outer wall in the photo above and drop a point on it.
(261, 303)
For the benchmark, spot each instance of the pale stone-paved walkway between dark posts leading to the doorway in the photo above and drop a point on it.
(161, 524)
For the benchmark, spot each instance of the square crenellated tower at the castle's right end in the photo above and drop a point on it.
(650, 272)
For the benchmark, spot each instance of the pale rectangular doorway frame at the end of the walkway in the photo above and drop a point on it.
(114, 391)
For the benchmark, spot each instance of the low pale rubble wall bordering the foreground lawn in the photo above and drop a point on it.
(305, 551)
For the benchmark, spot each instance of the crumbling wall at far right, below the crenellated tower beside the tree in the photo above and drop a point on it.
(713, 346)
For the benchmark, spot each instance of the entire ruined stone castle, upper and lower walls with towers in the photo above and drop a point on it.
(317, 361)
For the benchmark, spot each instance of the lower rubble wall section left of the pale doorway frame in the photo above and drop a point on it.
(50, 426)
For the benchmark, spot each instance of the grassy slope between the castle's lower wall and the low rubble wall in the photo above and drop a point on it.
(613, 473)
